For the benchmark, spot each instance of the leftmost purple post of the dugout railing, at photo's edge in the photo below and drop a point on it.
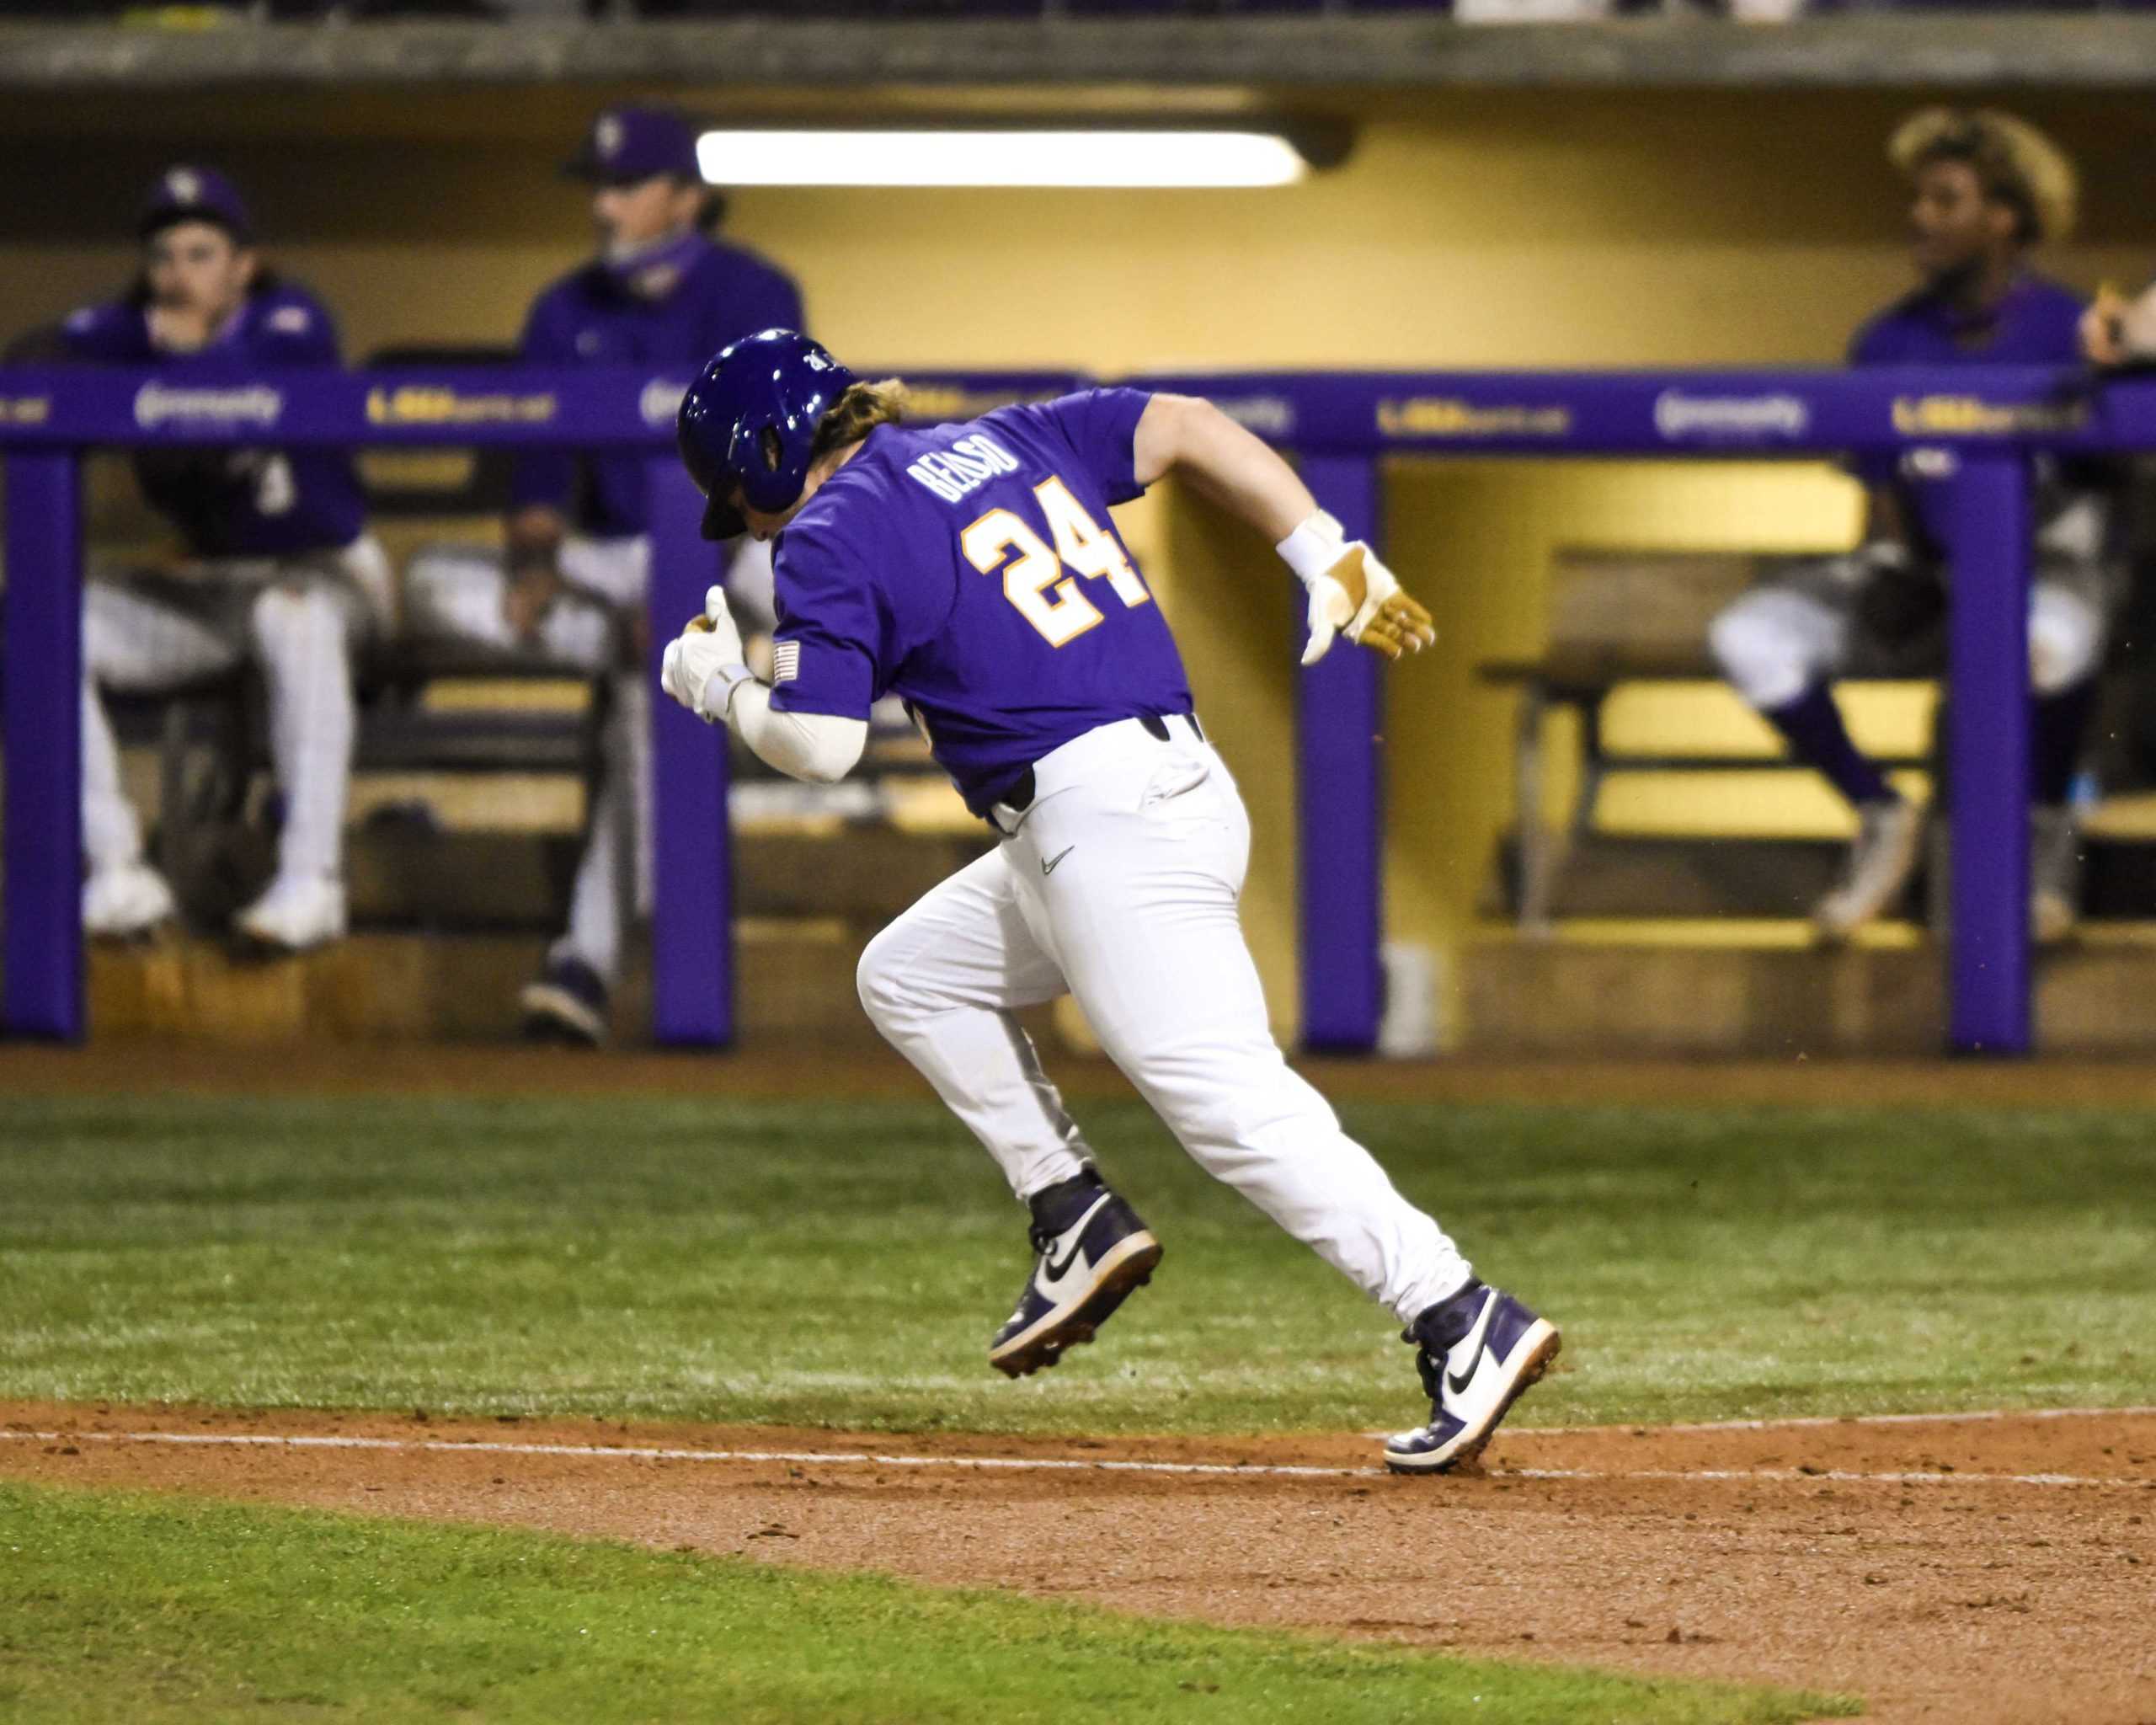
(42, 726)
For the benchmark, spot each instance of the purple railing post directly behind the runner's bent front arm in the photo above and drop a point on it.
(693, 864)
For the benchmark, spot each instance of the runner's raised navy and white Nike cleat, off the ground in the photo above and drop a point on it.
(1081, 1275)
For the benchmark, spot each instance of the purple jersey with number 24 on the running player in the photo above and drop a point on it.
(976, 572)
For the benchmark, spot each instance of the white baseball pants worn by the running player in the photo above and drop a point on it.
(1120, 885)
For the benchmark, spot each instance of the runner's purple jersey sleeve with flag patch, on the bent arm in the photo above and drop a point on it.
(833, 635)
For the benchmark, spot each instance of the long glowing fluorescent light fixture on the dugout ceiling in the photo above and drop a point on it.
(999, 158)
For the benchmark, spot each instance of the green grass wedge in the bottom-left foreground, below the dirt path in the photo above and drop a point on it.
(163, 1610)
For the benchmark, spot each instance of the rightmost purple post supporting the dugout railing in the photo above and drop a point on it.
(1989, 756)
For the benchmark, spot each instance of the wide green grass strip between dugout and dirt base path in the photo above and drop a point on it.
(844, 1265)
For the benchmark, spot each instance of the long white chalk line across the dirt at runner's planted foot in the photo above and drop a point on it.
(1040, 1463)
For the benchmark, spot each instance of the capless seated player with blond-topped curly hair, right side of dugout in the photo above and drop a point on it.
(1985, 193)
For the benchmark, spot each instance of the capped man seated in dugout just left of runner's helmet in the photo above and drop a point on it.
(570, 585)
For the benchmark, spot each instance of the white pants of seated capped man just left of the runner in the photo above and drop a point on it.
(456, 594)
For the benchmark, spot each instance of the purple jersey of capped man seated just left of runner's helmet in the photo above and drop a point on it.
(594, 318)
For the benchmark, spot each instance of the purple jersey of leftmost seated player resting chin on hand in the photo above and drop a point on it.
(238, 501)
